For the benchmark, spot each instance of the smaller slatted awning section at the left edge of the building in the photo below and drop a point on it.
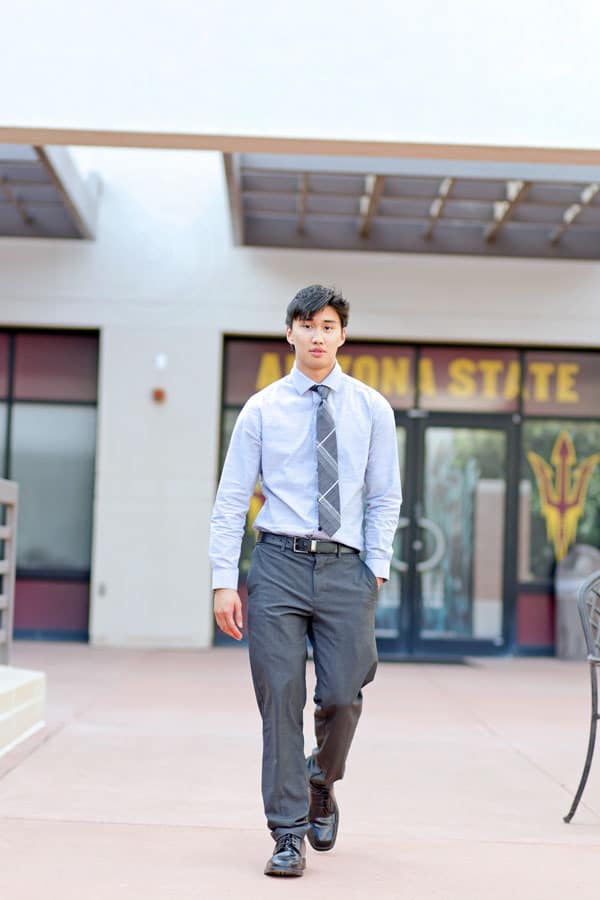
(43, 195)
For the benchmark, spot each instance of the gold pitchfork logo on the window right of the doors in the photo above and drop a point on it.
(562, 492)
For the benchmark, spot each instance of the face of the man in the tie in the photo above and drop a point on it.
(317, 341)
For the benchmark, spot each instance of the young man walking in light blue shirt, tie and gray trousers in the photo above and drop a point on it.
(324, 447)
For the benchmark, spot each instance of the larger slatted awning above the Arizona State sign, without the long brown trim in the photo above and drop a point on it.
(415, 206)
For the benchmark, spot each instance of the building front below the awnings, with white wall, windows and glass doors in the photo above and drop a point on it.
(126, 359)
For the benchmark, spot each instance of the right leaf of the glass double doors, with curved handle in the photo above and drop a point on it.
(460, 535)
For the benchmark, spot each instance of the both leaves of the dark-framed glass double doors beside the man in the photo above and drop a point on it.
(454, 549)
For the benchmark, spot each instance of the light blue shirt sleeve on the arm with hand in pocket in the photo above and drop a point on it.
(383, 493)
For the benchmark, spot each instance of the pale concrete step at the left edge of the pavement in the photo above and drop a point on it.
(22, 705)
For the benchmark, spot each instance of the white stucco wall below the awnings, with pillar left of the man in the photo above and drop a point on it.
(163, 277)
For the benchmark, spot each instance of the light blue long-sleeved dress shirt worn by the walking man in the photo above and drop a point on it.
(274, 439)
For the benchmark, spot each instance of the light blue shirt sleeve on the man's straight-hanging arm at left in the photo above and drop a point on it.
(236, 486)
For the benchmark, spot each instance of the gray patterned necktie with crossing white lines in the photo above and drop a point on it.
(327, 466)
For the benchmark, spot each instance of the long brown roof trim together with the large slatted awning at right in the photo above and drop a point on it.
(398, 197)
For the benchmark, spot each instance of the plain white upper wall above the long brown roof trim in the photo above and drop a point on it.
(466, 72)
